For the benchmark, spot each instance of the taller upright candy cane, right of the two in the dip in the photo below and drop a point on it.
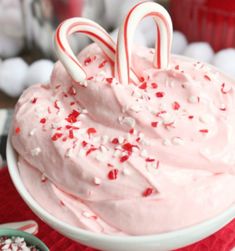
(126, 33)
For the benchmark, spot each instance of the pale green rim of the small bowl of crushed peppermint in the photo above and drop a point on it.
(29, 238)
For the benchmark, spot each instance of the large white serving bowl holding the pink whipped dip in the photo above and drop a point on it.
(157, 242)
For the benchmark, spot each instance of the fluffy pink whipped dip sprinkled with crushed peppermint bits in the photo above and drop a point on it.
(136, 159)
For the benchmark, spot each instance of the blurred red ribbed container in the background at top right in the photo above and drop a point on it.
(212, 21)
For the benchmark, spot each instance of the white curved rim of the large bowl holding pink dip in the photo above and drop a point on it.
(47, 217)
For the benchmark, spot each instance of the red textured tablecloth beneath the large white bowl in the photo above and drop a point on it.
(13, 208)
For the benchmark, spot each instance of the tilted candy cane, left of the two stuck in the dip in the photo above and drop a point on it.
(93, 31)
